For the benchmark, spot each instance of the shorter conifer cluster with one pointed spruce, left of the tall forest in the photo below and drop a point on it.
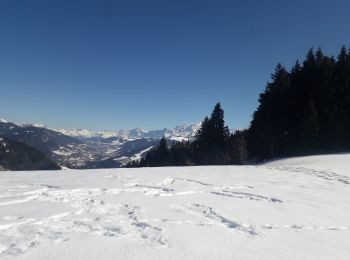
(213, 144)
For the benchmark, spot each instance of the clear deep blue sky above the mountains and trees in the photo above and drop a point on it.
(152, 64)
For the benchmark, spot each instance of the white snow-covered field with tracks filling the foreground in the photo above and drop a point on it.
(288, 209)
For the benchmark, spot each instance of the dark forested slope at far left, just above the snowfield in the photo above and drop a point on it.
(18, 156)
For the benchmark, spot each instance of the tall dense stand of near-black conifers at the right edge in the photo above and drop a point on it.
(304, 111)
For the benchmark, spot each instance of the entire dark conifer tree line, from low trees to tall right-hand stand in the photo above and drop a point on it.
(305, 110)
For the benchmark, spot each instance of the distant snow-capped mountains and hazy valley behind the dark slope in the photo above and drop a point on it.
(81, 148)
